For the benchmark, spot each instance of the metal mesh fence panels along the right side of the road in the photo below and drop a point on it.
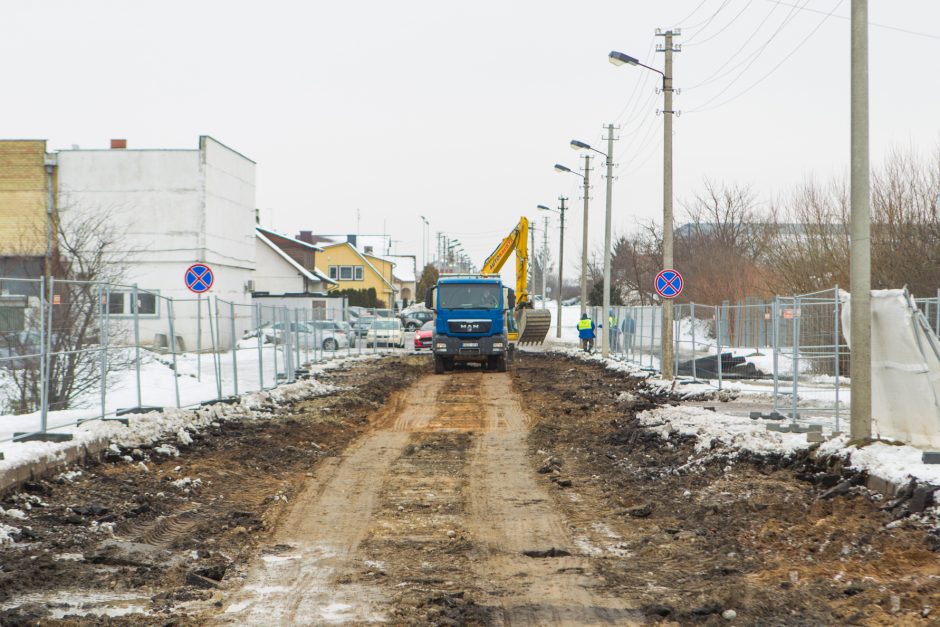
(790, 349)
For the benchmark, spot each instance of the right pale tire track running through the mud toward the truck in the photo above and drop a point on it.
(511, 513)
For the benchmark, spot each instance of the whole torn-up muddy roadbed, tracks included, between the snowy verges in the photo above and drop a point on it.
(466, 499)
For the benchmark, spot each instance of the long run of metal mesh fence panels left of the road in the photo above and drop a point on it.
(72, 351)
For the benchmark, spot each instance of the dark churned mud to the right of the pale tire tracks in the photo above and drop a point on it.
(746, 535)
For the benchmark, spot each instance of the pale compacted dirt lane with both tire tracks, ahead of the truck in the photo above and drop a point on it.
(440, 500)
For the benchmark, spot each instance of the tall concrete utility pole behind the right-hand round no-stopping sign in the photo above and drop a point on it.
(666, 367)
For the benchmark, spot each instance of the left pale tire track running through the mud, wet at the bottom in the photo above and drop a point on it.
(293, 583)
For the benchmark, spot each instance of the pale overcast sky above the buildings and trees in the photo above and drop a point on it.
(458, 110)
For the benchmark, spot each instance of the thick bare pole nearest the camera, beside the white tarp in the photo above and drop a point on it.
(860, 262)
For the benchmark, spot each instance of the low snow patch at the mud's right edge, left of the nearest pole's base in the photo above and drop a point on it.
(714, 428)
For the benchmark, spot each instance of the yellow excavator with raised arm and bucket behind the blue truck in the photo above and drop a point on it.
(525, 325)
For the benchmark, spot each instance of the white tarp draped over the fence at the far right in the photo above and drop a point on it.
(905, 370)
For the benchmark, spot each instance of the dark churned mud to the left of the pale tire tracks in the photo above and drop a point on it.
(126, 538)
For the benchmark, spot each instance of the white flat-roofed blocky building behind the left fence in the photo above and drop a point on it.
(173, 208)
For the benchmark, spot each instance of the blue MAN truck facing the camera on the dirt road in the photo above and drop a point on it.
(470, 323)
